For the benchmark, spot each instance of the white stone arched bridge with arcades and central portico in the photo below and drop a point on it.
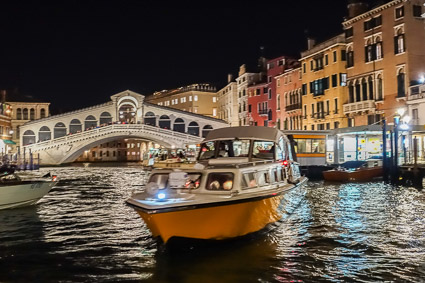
(63, 138)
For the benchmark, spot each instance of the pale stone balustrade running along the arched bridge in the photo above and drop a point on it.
(115, 127)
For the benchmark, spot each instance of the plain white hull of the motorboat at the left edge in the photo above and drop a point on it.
(23, 194)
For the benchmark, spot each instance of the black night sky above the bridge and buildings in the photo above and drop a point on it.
(78, 53)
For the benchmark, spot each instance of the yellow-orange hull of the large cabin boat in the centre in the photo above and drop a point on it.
(215, 222)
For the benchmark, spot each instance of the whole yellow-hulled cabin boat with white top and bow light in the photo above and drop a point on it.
(243, 181)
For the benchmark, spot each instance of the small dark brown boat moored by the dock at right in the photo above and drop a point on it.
(355, 171)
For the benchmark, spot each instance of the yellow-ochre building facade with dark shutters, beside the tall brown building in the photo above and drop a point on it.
(324, 84)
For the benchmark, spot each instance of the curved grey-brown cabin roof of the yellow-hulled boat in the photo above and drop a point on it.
(245, 132)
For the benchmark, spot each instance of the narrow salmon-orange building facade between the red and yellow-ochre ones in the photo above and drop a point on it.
(289, 100)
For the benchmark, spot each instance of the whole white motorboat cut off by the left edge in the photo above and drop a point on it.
(15, 192)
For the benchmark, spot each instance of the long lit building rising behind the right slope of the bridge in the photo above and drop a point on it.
(196, 98)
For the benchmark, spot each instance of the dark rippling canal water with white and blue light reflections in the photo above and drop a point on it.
(83, 232)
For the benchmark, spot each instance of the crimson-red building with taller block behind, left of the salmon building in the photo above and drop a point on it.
(262, 100)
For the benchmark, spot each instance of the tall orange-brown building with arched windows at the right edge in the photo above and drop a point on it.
(385, 55)
